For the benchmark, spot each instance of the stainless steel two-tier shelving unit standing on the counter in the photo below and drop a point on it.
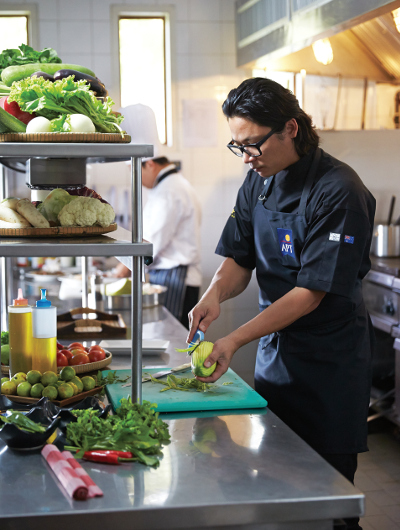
(105, 245)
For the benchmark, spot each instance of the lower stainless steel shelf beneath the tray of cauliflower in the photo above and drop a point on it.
(84, 246)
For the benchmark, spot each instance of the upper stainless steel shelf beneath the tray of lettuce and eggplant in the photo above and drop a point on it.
(78, 150)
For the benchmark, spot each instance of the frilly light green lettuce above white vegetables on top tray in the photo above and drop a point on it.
(55, 100)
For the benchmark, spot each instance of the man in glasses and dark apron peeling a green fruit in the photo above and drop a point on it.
(303, 220)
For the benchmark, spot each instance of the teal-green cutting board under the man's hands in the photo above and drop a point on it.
(238, 395)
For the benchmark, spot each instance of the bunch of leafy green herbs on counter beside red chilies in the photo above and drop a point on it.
(135, 428)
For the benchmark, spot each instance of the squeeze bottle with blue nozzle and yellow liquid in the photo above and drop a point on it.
(44, 335)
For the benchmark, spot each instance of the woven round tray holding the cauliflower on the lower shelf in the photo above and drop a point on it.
(58, 231)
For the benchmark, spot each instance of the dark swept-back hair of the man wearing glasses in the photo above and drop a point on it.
(269, 104)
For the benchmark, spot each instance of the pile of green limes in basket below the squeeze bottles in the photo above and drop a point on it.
(35, 384)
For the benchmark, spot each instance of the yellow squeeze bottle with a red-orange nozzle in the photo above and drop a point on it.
(20, 330)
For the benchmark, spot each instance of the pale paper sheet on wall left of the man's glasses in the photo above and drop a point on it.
(200, 122)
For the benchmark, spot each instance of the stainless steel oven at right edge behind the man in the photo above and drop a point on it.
(381, 288)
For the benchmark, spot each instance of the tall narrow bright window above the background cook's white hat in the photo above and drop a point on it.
(143, 62)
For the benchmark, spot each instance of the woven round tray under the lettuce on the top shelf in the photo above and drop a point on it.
(66, 137)
